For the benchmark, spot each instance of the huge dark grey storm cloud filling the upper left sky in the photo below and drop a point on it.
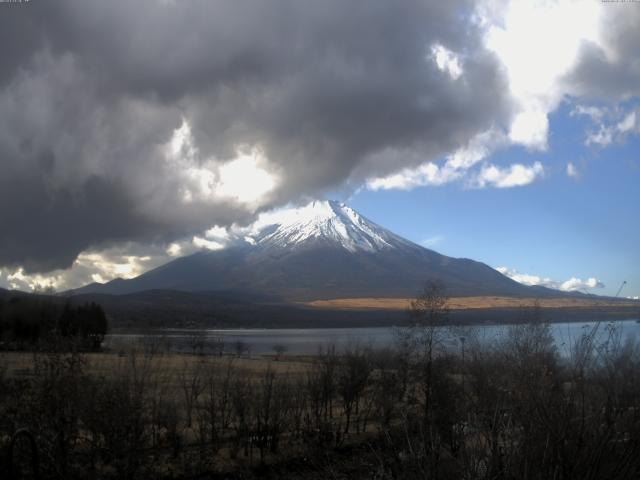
(90, 91)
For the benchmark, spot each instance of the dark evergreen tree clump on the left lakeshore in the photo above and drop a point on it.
(27, 321)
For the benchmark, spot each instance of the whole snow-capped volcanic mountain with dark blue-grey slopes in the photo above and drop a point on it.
(324, 250)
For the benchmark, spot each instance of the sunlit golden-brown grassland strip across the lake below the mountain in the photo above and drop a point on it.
(464, 303)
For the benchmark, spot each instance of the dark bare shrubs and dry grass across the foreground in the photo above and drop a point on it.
(514, 409)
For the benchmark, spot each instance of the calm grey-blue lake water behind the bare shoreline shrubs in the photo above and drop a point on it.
(309, 341)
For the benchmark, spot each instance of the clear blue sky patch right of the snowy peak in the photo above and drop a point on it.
(557, 227)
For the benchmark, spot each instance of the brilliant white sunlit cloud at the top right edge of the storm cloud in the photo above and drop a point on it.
(538, 43)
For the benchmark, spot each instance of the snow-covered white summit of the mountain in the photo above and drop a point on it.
(324, 222)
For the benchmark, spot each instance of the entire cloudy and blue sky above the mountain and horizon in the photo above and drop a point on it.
(503, 131)
